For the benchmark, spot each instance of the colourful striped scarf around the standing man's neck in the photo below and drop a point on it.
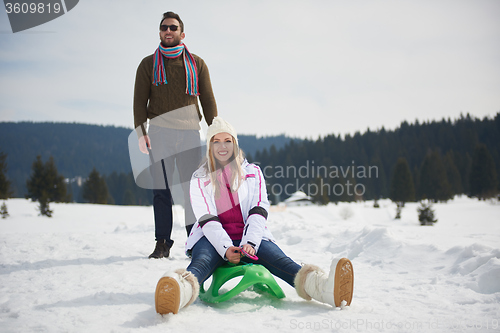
(160, 77)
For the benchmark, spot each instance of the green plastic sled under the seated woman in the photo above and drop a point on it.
(253, 275)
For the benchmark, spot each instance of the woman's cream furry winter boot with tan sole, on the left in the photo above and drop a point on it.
(176, 290)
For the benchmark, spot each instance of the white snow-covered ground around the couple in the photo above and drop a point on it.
(86, 270)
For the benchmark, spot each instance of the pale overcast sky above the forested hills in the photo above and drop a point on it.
(301, 68)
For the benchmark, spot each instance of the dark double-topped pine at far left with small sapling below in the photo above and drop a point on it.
(46, 185)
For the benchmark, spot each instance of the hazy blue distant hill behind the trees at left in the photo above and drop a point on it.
(77, 148)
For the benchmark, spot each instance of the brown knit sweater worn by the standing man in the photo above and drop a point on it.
(151, 101)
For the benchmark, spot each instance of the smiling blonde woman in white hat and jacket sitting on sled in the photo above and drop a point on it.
(229, 200)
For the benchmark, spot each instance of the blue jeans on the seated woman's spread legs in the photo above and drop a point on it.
(205, 259)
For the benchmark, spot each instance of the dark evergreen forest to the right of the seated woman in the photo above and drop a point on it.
(440, 156)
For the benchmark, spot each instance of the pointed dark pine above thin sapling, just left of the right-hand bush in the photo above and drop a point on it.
(402, 187)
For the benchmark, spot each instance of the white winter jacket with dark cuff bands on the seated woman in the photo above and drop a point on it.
(254, 205)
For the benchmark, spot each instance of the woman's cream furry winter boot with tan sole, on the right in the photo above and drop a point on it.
(312, 282)
